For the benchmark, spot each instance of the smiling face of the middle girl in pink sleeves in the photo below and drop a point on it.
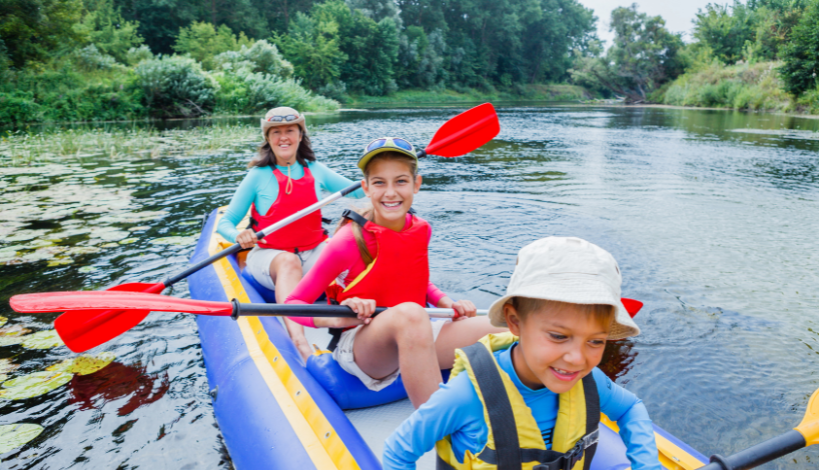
(391, 186)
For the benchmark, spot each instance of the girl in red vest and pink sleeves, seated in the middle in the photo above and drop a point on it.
(381, 260)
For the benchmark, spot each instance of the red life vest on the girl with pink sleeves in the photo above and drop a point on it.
(400, 271)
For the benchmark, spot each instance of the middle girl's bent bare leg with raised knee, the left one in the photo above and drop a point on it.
(400, 337)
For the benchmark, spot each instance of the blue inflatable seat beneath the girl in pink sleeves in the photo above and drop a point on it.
(347, 390)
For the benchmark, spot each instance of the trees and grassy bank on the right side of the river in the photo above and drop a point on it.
(763, 54)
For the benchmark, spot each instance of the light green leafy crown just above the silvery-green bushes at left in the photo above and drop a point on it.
(202, 41)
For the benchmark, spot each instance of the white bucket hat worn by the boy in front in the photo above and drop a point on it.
(567, 269)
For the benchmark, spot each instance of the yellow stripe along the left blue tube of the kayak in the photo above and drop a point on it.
(320, 440)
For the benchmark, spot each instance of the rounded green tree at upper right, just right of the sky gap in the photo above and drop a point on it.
(725, 30)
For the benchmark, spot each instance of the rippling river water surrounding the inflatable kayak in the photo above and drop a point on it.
(712, 216)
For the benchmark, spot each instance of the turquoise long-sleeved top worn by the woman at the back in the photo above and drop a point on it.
(260, 187)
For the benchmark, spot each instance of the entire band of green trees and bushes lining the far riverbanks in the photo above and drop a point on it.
(120, 59)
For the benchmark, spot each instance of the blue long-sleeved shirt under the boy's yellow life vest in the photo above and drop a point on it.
(455, 410)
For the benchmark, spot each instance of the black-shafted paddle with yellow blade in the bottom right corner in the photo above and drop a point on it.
(806, 434)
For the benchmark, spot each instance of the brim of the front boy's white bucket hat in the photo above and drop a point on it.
(623, 325)
